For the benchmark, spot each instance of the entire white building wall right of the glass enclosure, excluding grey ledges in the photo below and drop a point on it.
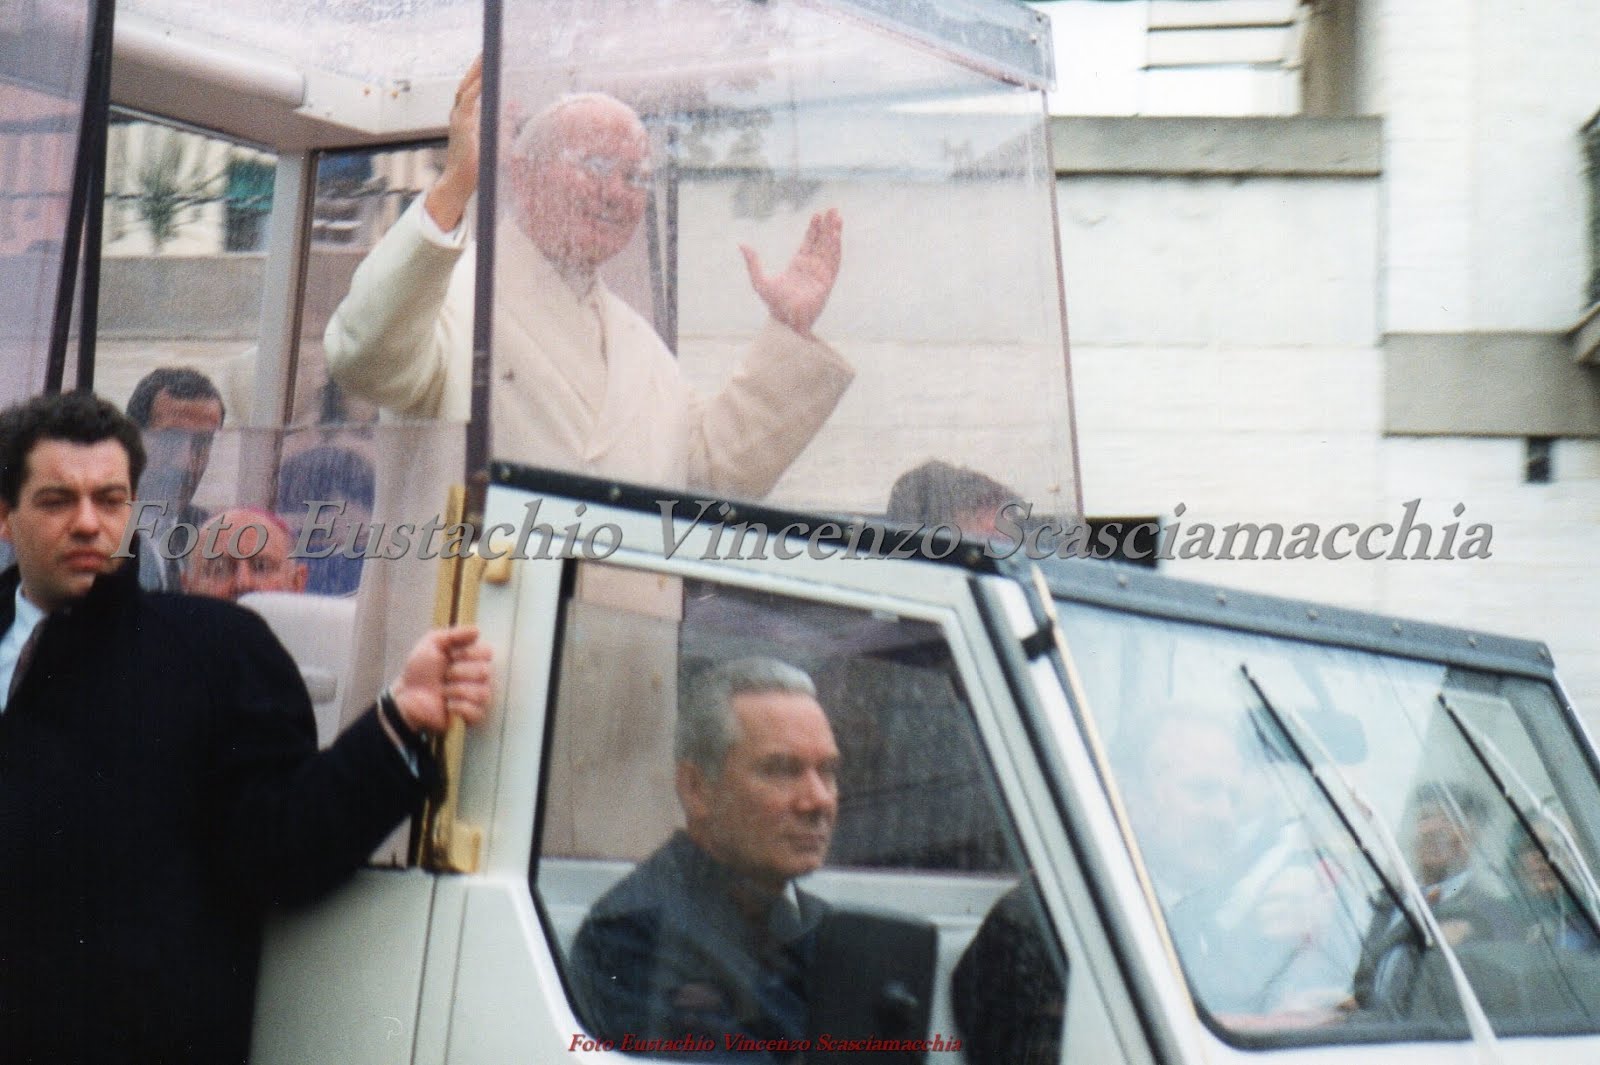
(1228, 333)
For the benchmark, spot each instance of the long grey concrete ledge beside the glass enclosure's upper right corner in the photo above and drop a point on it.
(1212, 148)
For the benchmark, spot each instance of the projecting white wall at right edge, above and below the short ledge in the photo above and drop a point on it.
(1486, 226)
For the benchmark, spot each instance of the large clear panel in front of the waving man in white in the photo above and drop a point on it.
(778, 252)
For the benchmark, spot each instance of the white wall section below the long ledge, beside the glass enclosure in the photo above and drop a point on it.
(1225, 357)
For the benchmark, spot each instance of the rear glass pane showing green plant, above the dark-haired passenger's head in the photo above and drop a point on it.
(183, 266)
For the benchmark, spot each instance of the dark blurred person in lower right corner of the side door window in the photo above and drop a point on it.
(1007, 992)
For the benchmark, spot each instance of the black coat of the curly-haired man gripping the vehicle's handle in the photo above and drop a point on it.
(159, 791)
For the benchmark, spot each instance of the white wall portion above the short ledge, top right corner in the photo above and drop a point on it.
(1482, 103)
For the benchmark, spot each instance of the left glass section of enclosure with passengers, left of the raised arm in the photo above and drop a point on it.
(238, 437)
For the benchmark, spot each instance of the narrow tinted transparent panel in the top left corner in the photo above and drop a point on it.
(44, 57)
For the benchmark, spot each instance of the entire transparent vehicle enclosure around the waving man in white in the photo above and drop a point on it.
(799, 252)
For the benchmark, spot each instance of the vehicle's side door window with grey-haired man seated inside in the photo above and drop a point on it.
(769, 826)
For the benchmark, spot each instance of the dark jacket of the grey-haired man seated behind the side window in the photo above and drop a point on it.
(668, 954)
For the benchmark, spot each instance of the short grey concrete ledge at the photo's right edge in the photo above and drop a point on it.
(1487, 385)
